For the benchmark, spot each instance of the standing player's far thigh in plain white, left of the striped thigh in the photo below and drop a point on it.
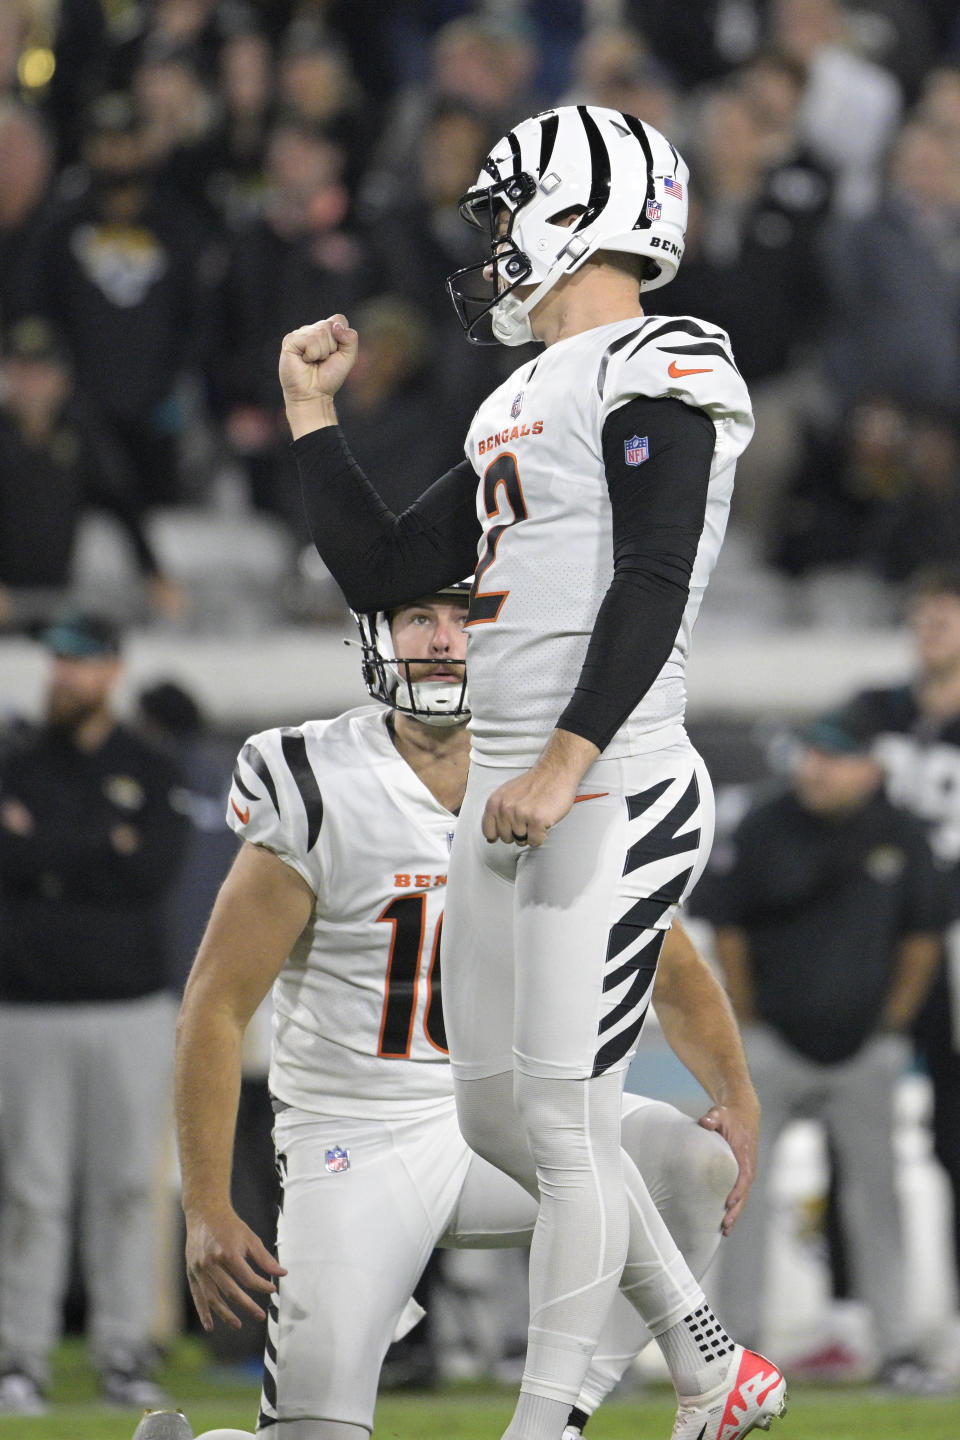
(477, 947)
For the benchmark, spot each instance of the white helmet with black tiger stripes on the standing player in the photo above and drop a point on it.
(621, 178)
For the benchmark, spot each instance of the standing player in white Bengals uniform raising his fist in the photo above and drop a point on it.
(592, 508)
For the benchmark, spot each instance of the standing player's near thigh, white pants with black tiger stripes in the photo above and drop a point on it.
(594, 905)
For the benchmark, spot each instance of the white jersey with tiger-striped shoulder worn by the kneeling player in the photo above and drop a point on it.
(358, 1019)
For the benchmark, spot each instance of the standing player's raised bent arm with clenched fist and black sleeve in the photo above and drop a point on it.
(378, 559)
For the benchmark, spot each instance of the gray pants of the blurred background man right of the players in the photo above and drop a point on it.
(856, 1102)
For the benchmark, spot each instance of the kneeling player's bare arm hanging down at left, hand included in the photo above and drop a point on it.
(260, 912)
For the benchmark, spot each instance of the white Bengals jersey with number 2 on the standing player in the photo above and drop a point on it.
(543, 505)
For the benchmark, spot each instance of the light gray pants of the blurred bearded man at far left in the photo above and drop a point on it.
(86, 1095)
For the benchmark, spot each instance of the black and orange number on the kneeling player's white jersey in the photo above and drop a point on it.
(408, 918)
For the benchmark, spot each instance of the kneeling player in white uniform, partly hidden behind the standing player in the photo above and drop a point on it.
(336, 901)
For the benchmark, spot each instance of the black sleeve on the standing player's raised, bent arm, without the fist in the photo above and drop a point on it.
(381, 559)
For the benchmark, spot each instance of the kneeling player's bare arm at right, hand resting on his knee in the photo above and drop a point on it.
(702, 1030)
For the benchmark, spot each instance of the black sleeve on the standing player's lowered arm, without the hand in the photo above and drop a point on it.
(658, 519)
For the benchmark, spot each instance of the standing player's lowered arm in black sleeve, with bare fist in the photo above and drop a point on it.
(658, 518)
